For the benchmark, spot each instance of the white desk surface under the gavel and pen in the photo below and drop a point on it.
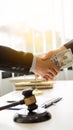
(62, 112)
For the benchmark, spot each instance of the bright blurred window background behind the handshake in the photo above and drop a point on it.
(36, 26)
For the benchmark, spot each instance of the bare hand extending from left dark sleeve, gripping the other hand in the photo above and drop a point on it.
(45, 67)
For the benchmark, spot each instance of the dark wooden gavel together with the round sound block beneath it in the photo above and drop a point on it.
(32, 115)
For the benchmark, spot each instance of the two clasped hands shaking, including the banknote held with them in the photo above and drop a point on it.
(50, 64)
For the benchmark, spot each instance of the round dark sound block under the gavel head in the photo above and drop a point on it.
(32, 117)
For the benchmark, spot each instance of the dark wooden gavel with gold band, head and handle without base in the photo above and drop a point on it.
(29, 100)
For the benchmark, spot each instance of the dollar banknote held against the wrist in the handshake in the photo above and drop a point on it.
(63, 59)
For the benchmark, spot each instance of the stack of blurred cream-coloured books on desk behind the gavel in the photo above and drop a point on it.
(33, 83)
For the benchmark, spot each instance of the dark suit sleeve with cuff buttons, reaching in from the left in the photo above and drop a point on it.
(15, 61)
